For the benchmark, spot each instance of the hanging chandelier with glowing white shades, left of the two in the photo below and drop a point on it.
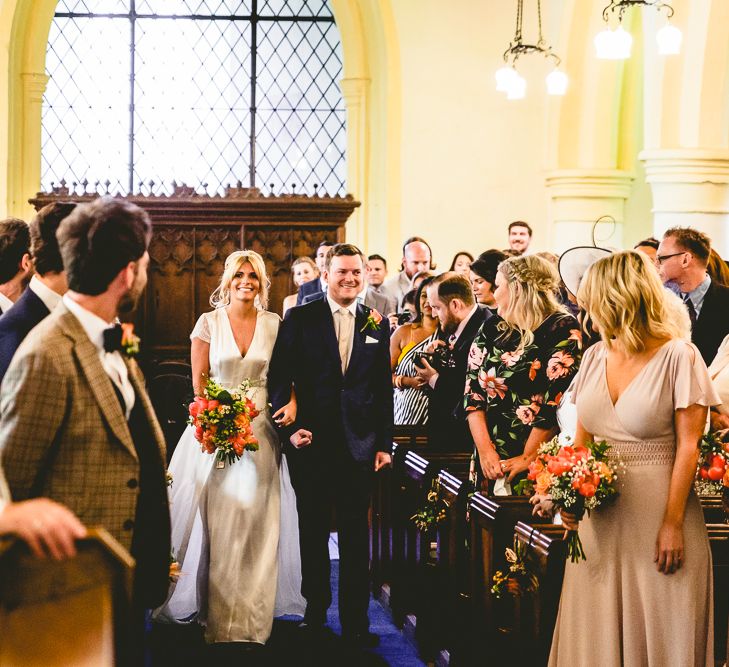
(508, 80)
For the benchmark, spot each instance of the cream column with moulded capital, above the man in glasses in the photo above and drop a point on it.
(690, 189)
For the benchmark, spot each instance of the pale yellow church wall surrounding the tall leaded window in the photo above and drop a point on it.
(433, 149)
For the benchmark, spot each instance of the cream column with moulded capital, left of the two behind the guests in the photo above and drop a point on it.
(578, 197)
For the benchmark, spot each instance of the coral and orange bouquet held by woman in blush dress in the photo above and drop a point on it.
(577, 479)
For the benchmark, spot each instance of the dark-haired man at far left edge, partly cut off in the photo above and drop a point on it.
(16, 267)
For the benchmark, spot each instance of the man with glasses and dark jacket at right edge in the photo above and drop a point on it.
(681, 260)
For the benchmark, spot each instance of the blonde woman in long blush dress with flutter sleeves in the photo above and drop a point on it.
(645, 391)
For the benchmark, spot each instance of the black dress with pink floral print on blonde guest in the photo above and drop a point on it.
(521, 389)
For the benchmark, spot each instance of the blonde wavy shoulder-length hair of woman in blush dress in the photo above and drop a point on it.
(625, 299)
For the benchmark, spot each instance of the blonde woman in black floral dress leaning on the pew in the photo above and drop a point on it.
(511, 403)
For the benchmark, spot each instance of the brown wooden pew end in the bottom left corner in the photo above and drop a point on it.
(62, 613)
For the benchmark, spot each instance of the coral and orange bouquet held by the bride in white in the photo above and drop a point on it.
(222, 419)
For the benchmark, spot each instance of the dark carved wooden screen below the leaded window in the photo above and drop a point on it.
(192, 236)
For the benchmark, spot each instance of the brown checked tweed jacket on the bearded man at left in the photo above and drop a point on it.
(62, 430)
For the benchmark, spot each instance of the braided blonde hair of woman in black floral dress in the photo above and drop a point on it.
(533, 283)
